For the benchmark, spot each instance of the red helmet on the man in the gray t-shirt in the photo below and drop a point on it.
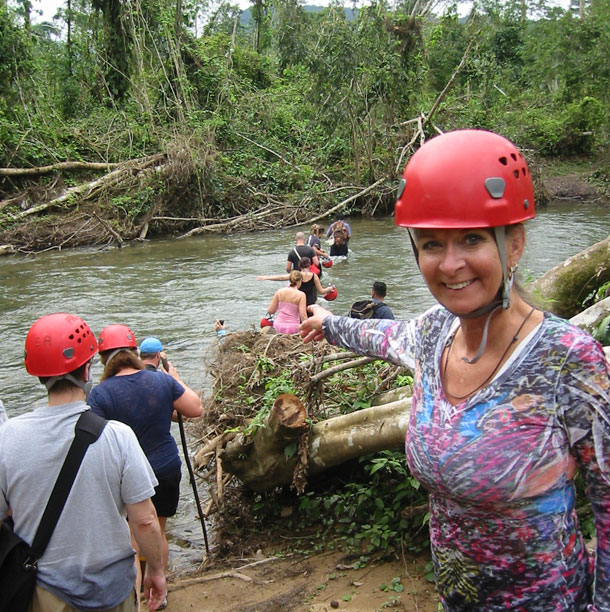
(57, 344)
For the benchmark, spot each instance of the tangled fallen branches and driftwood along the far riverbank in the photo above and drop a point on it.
(168, 193)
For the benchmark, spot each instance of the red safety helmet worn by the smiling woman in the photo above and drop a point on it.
(463, 179)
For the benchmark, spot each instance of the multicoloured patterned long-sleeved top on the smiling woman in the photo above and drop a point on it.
(499, 466)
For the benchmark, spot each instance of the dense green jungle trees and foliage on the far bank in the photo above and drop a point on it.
(293, 100)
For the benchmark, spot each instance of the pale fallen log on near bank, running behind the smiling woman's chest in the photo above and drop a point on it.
(333, 442)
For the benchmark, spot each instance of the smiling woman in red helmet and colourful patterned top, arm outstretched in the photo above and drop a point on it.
(508, 401)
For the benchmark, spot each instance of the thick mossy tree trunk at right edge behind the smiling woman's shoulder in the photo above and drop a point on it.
(563, 288)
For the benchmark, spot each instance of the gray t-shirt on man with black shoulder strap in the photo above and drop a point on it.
(89, 562)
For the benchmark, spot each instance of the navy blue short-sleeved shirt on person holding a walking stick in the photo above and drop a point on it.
(145, 402)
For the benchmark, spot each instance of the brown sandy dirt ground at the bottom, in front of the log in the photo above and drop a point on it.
(320, 583)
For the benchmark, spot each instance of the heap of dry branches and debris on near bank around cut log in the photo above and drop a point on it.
(241, 369)
